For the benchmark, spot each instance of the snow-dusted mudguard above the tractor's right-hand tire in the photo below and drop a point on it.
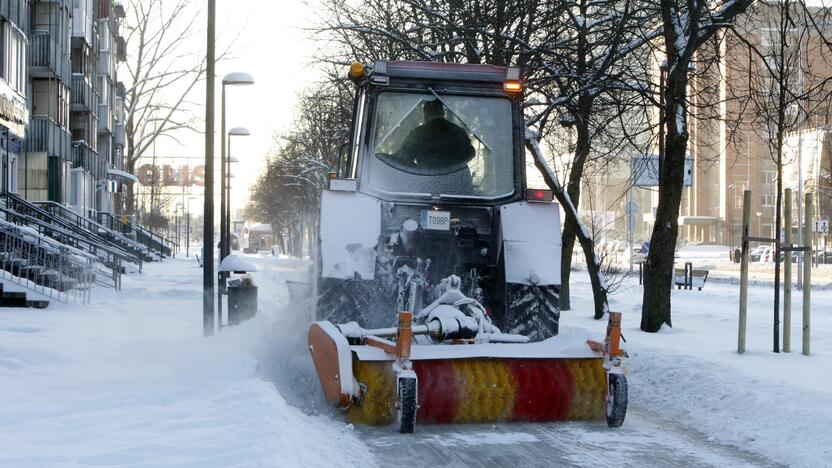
(531, 243)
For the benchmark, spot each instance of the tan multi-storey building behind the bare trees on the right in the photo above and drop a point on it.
(729, 153)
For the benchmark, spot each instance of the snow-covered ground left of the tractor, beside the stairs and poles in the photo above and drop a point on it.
(130, 381)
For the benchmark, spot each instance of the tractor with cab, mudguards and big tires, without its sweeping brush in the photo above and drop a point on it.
(433, 185)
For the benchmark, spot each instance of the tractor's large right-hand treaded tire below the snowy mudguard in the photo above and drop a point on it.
(532, 311)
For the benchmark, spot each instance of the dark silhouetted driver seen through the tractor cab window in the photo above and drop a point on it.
(437, 146)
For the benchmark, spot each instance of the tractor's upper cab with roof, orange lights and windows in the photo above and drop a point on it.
(435, 131)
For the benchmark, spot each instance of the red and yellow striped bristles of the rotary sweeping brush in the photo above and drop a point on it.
(487, 390)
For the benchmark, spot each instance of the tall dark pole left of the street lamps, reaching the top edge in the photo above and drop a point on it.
(208, 205)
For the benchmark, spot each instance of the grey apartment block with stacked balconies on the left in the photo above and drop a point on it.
(61, 114)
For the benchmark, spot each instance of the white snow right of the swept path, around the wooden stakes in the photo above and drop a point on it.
(776, 405)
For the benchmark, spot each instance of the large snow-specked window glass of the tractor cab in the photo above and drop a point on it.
(442, 145)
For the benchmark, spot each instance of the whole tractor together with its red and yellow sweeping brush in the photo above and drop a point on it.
(438, 269)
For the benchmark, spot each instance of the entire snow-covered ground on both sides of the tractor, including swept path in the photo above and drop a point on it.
(130, 381)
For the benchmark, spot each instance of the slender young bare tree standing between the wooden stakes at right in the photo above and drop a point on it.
(787, 82)
